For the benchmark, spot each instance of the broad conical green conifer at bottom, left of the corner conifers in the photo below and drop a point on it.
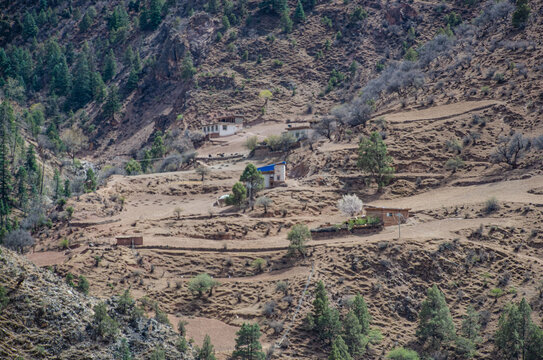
(435, 321)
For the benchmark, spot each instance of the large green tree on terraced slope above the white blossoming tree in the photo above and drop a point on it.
(373, 159)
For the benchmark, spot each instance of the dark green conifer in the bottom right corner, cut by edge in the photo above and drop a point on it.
(517, 336)
